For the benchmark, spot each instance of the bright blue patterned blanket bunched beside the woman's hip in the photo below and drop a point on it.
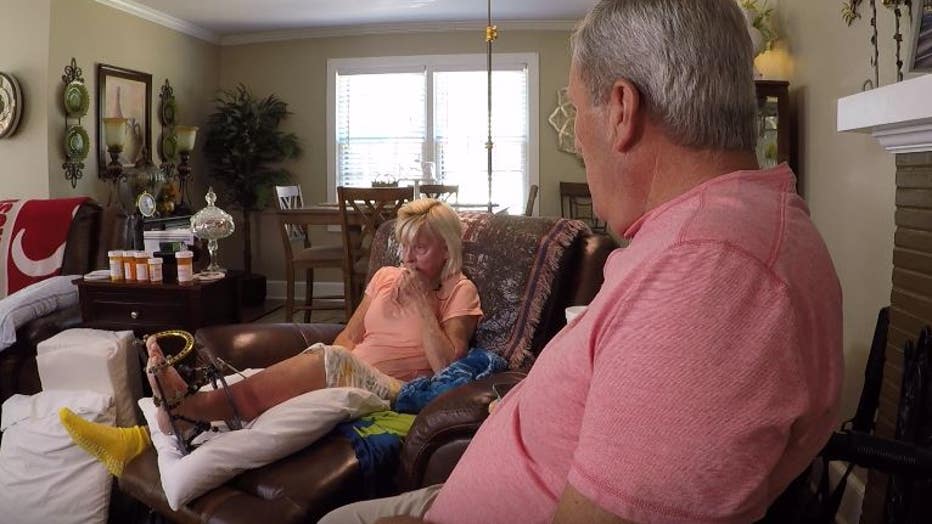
(476, 365)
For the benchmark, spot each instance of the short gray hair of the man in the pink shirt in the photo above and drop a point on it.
(691, 60)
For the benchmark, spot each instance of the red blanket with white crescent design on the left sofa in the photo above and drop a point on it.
(32, 240)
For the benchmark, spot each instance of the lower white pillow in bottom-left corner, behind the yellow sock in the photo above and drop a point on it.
(44, 477)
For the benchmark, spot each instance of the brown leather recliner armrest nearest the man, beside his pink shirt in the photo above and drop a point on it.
(450, 418)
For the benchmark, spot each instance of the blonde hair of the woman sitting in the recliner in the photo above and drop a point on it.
(441, 221)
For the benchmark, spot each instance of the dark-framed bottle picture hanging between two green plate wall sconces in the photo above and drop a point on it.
(128, 94)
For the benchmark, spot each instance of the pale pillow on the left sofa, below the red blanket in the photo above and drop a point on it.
(32, 302)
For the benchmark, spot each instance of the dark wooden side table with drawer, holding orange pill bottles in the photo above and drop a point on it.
(148, 308)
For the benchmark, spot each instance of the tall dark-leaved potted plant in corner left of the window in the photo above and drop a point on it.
(244, 149)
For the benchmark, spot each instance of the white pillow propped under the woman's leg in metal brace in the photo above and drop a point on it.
(279, 432)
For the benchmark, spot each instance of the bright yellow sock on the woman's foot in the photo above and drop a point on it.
(115, 447)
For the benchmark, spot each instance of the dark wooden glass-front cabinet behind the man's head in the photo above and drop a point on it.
(775, 143)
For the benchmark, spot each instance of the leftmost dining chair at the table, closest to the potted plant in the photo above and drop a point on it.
(300, 254)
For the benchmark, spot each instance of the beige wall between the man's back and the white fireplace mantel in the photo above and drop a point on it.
(848, 178)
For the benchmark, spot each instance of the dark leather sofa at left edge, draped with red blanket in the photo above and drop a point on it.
(94, 230)
